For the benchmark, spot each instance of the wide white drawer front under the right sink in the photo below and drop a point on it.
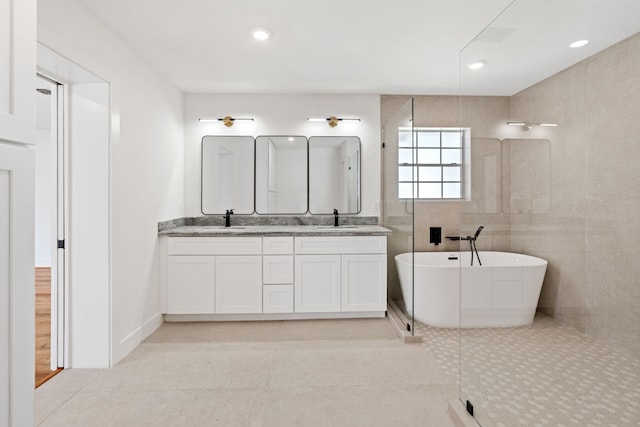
(341, 245)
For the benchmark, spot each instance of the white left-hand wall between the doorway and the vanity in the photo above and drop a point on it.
(146, 163)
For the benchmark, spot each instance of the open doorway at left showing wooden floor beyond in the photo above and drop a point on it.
(49, 229)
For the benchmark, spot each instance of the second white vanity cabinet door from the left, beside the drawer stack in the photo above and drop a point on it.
(238, 284)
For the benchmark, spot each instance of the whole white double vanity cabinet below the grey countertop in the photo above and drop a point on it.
(286, 277)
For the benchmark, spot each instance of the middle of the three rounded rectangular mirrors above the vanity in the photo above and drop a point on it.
(281, 174)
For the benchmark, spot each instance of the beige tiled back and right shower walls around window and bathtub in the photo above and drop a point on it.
(569, 194)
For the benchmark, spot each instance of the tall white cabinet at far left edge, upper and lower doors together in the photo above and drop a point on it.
(17, 73)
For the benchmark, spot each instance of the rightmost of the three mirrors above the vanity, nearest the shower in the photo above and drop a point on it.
(334, 174)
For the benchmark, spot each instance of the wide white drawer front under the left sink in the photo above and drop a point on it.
(214, 246)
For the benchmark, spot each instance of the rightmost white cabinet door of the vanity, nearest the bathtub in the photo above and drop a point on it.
(364, 282)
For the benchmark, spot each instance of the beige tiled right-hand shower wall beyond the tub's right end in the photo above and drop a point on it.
(591, 233)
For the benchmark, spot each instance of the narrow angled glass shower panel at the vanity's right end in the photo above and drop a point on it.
(399, 191)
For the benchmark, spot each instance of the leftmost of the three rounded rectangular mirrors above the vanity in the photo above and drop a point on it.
(228, 166)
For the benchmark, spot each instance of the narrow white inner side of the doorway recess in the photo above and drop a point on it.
(88, 240)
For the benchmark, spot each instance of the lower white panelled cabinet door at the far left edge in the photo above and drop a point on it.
(17, 329)
